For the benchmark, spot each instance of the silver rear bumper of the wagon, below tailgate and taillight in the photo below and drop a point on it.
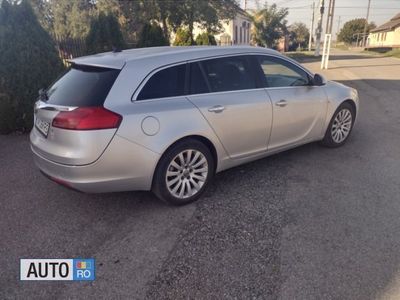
(124, 166)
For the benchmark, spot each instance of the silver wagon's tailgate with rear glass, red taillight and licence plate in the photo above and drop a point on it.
(71, 126)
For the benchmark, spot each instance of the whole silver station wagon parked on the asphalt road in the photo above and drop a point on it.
(167, 119)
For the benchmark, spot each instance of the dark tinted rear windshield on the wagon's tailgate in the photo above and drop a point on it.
(82, 86)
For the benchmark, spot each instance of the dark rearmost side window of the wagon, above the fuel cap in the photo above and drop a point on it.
(169, 82)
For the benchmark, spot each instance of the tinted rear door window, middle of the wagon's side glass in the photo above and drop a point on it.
(229, 74)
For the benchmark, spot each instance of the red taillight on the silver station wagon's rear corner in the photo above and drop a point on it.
(87, 118)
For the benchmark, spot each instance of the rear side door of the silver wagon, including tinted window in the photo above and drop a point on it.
(239, 111)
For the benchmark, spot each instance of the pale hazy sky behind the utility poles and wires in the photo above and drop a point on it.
(300, 10)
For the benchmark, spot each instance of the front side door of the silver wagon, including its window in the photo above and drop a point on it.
(299, 108)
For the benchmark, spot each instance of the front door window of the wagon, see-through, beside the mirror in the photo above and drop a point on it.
(281, 73)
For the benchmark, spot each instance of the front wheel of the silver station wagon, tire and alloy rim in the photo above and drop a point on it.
(340, 126)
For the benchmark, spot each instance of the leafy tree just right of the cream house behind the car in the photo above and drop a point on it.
(269, 25)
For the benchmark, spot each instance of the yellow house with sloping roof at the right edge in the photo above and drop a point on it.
(387, 35)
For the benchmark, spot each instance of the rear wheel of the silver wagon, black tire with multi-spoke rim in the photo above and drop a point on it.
(183, 172)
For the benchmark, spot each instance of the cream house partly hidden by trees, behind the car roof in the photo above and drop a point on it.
(235, 31)
